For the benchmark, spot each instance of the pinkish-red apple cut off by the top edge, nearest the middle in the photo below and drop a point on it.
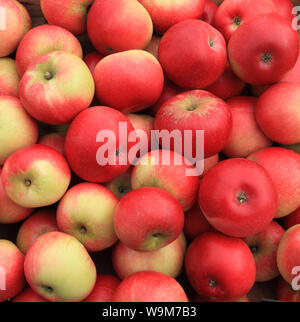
(166, 14)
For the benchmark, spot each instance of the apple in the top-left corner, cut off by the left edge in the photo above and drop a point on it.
(13, 27)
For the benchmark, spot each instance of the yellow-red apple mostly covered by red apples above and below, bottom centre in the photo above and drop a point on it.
(167, 260)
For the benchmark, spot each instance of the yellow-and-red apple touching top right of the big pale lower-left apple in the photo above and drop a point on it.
(78, 214)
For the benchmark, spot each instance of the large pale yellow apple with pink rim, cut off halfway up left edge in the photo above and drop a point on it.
(17, 129)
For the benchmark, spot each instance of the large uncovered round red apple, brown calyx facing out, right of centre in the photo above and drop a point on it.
(249, 203)
